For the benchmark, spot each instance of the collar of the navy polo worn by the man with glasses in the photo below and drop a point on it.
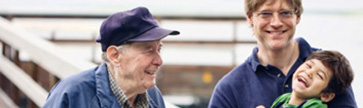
(304, 48)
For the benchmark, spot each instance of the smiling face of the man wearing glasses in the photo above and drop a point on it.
(274, 24)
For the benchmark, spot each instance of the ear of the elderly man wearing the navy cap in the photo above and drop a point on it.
(113, 55)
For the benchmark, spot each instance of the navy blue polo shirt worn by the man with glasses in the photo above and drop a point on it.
(251, 84)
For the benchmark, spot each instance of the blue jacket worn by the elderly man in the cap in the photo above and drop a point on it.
(91, 89)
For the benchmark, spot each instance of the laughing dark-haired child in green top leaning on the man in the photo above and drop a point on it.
(317, 80)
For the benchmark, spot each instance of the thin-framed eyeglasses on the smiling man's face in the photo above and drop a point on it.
(268, 15)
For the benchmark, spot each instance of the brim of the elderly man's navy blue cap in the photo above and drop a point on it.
(154, 34)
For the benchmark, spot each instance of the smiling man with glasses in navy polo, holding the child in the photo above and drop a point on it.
(267, 73)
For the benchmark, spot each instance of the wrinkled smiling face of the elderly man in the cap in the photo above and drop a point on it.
(139, 64)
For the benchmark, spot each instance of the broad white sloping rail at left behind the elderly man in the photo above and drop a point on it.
(40, 51)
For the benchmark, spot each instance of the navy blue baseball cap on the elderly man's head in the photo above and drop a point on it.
(136, 25)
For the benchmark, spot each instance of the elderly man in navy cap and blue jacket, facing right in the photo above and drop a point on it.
(131, 44)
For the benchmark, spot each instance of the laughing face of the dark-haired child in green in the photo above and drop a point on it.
(310, 79)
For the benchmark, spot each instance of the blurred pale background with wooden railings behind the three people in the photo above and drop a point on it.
(47, 40)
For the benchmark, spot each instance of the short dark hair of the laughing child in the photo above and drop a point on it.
(342, 74)
